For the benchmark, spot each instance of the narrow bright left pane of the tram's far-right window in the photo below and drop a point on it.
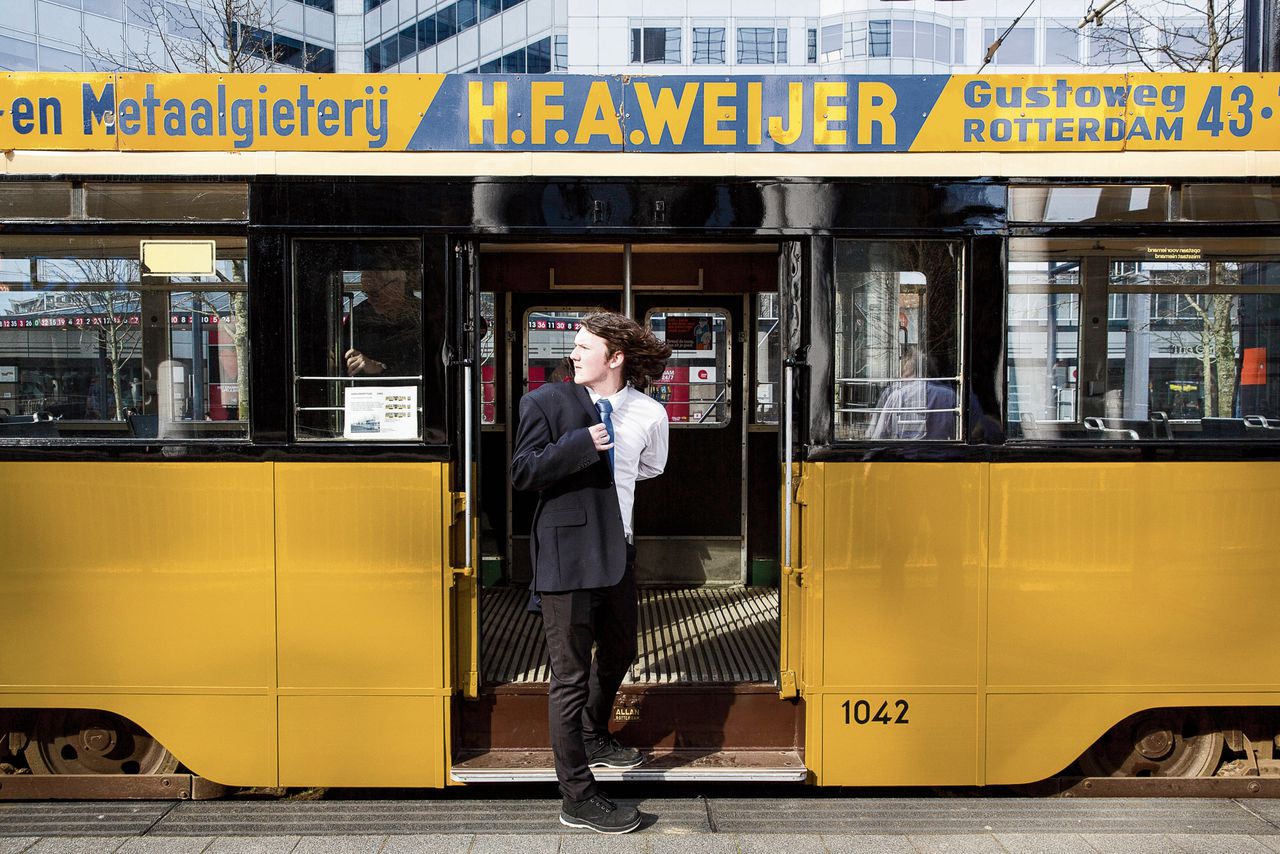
(1044, 355)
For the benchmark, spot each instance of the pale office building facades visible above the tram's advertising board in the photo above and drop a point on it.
(426, 36)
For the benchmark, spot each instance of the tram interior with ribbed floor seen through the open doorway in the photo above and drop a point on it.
(707, 529)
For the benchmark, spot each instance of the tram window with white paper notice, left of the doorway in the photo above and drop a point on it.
(359, 342)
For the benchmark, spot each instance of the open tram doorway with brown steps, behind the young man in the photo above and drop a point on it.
(707, 531)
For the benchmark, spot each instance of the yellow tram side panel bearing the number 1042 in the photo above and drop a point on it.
(897, 608)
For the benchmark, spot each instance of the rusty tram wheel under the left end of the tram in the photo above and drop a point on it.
(90, 742)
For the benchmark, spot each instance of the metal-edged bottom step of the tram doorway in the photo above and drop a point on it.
(687, 766)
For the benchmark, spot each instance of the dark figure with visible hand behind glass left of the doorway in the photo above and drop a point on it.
(386, 328)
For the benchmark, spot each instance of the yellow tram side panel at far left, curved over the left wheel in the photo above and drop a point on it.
(147, 590)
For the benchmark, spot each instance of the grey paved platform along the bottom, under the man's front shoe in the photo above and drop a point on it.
(698, 825)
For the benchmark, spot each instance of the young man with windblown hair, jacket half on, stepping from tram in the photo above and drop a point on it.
(583, 446)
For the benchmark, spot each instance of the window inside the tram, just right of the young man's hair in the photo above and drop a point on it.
(694, 387)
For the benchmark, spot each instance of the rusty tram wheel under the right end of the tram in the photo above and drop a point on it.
(1160, 743)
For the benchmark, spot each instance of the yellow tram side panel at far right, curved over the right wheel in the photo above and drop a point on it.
(1123, 587)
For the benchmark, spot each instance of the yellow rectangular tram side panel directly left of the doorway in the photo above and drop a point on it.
(363, 624)
